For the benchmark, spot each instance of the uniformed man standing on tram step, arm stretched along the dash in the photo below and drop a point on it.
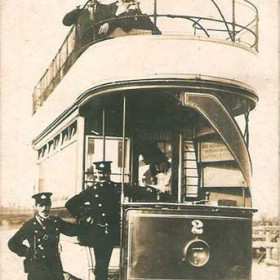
(98, 207)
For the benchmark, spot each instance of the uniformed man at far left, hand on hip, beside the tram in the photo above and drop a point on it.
(42, 259)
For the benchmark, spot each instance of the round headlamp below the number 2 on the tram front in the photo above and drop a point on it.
(196, 253)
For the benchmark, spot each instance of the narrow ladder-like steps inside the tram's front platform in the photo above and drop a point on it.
(190, 170)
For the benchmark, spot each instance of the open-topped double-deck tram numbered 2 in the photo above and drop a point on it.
(169, 105)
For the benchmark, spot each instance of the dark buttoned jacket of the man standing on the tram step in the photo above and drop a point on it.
(101, 202)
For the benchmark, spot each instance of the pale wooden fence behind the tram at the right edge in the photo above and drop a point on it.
(266, 244)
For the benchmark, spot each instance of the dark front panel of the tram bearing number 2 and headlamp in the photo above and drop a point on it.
(175, 244)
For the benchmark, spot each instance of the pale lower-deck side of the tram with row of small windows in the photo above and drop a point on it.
(57, 164)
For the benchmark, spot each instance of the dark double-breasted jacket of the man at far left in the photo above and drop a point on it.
(43, 238)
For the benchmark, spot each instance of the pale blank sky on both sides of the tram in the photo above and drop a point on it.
(31, 33)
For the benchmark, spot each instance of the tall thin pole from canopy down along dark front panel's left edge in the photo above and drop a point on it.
(122, 184)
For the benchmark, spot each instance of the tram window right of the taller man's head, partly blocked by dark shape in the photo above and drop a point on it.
(154, 166)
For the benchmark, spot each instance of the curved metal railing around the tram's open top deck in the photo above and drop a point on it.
(234, 21)
